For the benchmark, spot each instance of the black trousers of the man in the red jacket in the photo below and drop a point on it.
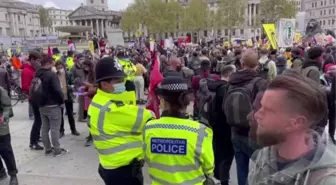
(36, 128)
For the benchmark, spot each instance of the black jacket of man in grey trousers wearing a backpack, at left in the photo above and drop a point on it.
(51, 86)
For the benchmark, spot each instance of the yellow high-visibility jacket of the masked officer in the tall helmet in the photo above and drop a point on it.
(116, 129)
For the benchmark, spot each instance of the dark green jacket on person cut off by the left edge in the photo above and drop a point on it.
(5, 110)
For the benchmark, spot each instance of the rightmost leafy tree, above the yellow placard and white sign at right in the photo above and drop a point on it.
(273, 10)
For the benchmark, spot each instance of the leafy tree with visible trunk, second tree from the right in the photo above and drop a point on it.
(231, 14)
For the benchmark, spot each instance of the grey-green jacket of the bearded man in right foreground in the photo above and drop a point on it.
(318, 167)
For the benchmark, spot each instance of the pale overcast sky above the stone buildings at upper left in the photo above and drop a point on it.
(73, 4)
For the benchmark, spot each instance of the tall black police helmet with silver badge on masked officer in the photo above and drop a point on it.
(108, 68)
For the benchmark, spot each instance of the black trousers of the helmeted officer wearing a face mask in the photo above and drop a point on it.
(121, 176)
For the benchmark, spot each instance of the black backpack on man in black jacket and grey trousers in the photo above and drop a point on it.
(36, 91)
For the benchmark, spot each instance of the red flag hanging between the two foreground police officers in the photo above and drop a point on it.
(156, 77)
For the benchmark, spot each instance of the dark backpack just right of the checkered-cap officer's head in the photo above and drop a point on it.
(203, 94)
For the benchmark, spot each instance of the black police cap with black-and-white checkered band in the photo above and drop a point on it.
(172, 84)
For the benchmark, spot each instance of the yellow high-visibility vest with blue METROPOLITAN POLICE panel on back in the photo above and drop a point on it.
(178, 151)
